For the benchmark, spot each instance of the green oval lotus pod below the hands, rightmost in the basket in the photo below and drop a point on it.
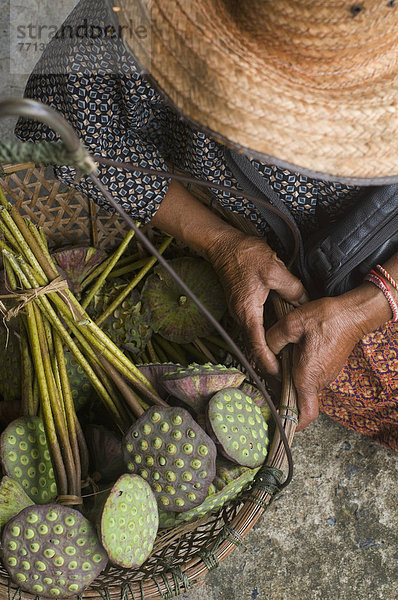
(238, 427)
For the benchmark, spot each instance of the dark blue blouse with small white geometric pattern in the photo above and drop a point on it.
(95, 83)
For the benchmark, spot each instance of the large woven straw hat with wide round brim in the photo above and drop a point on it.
(307, 84)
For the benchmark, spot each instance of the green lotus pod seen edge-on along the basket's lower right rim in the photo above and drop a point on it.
(212, 503)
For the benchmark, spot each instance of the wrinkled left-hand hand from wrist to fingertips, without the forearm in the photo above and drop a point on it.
(249, 269)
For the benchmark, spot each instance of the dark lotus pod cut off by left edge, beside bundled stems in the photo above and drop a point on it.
(10, 365)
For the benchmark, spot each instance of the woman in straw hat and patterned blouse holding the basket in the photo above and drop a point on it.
(294, 81)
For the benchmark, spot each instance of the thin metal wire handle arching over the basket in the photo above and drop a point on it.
(36, 110)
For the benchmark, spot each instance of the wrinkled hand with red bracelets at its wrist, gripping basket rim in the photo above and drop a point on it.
(325, 332)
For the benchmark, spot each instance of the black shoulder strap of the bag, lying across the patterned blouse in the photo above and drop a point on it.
(251, 181)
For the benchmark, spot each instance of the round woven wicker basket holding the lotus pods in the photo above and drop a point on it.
(182, 556)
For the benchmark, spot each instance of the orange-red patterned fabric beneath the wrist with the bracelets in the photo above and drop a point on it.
(364, 397)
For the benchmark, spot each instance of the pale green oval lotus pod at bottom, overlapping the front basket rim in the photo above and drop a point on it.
(129, 522)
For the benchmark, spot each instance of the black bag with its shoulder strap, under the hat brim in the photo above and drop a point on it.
(337, 258)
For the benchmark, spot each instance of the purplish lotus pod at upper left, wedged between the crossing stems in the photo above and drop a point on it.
(75, 264)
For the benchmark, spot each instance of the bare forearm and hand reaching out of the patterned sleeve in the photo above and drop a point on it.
(246, 265)
